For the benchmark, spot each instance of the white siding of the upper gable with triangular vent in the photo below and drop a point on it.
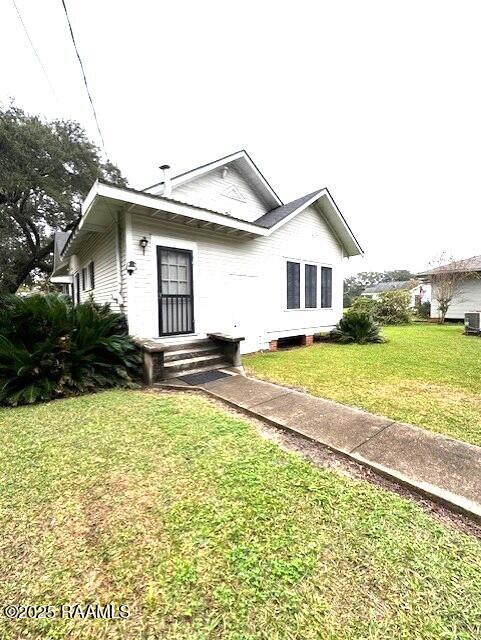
(209, 191)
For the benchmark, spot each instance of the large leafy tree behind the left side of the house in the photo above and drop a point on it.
(46, 170)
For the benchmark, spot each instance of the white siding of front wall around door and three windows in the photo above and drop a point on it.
(239, 284)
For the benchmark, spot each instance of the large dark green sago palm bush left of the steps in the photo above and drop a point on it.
(50, 349)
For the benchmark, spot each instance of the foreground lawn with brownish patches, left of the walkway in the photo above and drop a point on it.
(206, 530)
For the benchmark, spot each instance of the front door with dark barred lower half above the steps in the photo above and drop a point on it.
(176, 304)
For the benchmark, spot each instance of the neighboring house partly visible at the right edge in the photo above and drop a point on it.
(467, 296)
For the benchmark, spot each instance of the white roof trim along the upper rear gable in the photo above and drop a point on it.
(240, 160)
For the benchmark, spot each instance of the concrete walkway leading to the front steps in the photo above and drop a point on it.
(447, 470)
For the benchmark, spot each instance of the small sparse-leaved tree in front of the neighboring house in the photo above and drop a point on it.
(448, 278)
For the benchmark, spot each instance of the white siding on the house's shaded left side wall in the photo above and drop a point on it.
(99, 248)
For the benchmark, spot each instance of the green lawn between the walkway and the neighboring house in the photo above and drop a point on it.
(426, 374)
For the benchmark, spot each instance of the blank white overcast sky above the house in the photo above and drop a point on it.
(379, 101)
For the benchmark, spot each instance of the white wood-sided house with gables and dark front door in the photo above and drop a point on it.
(213, 250)
